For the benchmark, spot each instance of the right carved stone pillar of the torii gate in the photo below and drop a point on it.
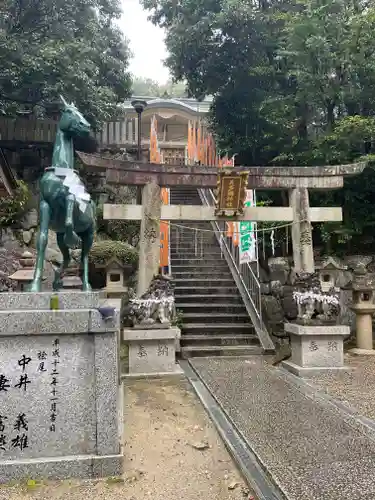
(303, 254)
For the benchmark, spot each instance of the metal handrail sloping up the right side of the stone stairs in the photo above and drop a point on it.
(243, 274)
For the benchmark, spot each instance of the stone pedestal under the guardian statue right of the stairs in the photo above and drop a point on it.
(315, 349)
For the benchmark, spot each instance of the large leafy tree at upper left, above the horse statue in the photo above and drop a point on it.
(70, 47)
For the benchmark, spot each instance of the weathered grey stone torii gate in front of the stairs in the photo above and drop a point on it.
(296, 180)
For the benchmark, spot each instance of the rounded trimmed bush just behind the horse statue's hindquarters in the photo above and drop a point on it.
(104, 250)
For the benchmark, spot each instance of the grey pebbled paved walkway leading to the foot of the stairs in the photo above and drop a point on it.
(313, 450)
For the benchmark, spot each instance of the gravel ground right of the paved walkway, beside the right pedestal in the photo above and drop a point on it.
(355, 388)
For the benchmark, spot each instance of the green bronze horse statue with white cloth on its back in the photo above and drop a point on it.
(65, 205)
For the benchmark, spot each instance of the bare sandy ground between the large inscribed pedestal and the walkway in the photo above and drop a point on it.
(172, 451)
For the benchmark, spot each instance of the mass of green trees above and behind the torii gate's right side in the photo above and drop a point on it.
(293, 84)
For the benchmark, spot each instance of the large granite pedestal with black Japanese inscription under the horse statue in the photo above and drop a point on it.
(59, 388)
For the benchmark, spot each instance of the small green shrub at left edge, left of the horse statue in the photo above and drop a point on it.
(13, 208)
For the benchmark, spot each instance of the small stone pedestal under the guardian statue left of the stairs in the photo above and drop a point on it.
(152, 351)
